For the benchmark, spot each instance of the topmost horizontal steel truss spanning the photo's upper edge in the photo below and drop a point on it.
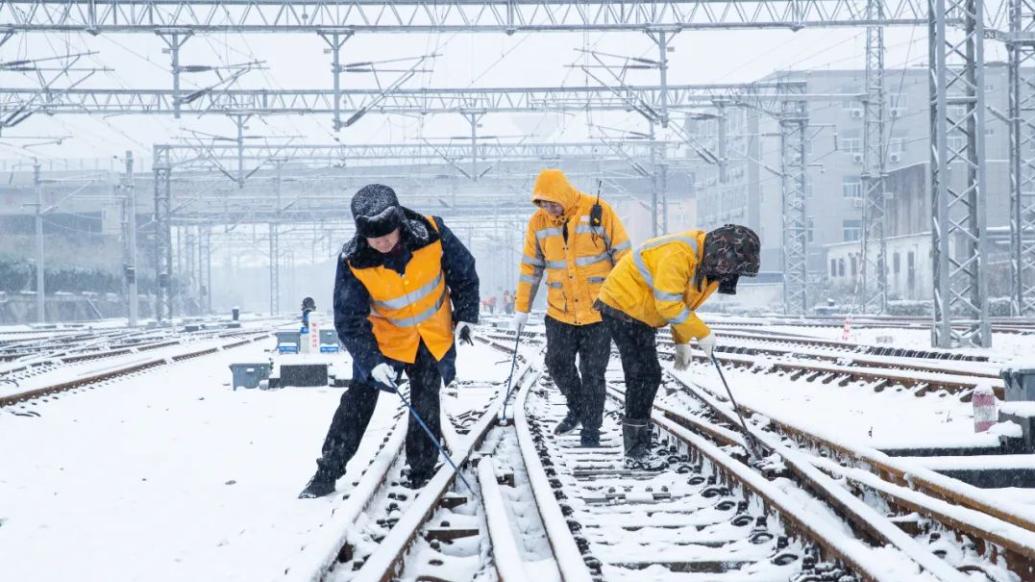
(442, 16)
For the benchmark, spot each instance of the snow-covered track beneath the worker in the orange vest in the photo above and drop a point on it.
(387, 530)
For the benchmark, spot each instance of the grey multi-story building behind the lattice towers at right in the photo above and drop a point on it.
(751, 191)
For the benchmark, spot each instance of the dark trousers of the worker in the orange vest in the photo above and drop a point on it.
(358, 405)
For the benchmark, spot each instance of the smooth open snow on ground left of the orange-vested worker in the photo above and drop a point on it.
(168, 476)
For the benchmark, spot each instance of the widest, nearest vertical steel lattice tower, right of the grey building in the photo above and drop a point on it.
(958, 110)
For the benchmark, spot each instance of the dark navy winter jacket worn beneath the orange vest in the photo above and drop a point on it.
(352, 302)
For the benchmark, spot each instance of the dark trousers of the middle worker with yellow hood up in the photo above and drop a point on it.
(593, 344)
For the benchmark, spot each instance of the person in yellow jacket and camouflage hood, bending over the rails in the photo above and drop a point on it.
(662, 283)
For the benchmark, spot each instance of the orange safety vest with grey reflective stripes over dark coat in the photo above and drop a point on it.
(408, 308)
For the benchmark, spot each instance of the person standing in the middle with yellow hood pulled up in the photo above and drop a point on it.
(574, 240)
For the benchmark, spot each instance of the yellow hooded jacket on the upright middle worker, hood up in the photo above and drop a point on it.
(576, 267)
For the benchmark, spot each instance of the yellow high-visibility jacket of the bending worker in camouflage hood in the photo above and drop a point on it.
(656, 285)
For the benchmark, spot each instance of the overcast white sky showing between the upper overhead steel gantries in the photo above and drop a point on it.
(489, 61)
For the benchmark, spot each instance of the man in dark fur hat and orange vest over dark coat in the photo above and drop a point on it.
(405, 286)
